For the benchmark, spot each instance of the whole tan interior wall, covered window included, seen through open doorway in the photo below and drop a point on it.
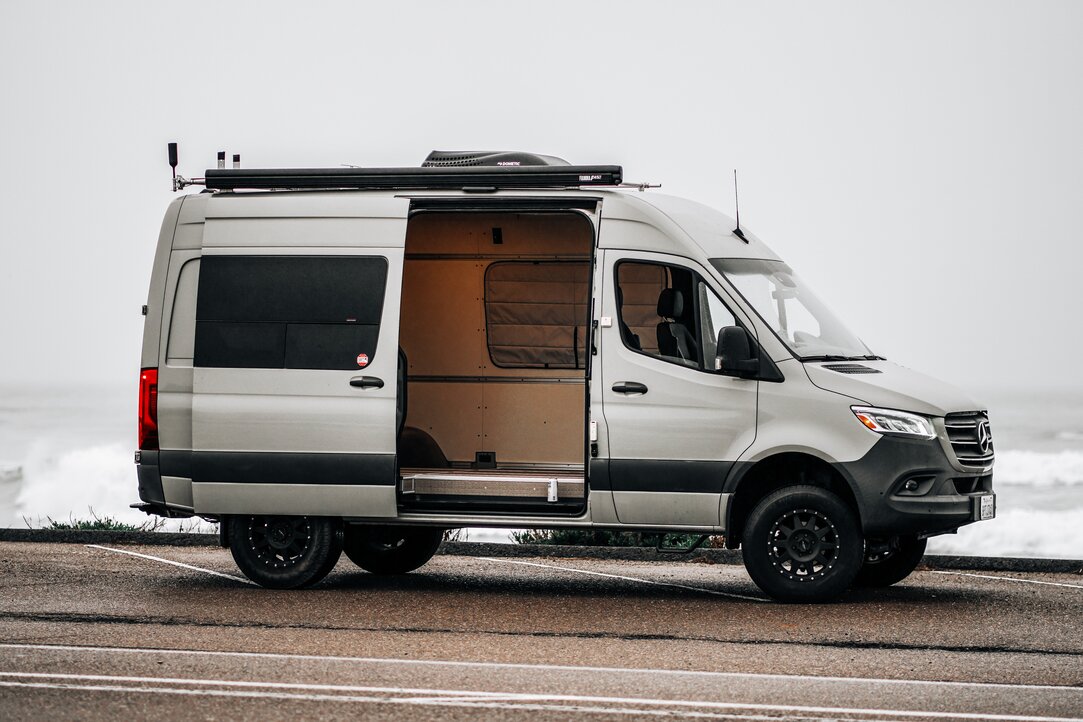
(507, 378)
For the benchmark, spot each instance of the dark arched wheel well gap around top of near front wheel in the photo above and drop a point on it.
(778, 472)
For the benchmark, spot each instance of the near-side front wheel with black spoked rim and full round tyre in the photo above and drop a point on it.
(803, 544)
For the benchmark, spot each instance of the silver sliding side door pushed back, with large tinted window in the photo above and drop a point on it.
(296, 363)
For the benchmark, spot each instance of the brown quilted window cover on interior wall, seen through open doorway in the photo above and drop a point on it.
(537, 313)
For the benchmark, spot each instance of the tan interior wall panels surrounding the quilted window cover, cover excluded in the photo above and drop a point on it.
(443, 335)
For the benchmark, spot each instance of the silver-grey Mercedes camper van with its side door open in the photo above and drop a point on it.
(360, 360)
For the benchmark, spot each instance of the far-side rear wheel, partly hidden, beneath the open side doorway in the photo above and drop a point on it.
(392, 549)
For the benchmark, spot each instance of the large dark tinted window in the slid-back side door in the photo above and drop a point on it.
(289, 312)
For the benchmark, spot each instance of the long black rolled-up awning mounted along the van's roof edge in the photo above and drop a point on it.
(472, 178)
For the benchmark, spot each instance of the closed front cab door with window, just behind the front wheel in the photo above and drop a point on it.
(675, 425)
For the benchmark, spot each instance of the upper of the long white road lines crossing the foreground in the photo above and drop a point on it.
(549, 668)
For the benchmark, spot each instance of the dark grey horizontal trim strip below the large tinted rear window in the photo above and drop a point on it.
(281, 468)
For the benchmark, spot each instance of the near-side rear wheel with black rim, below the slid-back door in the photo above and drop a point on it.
(285, 553)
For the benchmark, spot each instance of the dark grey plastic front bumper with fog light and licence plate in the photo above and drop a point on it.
(943, 497)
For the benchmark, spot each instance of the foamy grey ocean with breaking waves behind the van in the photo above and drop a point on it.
(68, 454)
